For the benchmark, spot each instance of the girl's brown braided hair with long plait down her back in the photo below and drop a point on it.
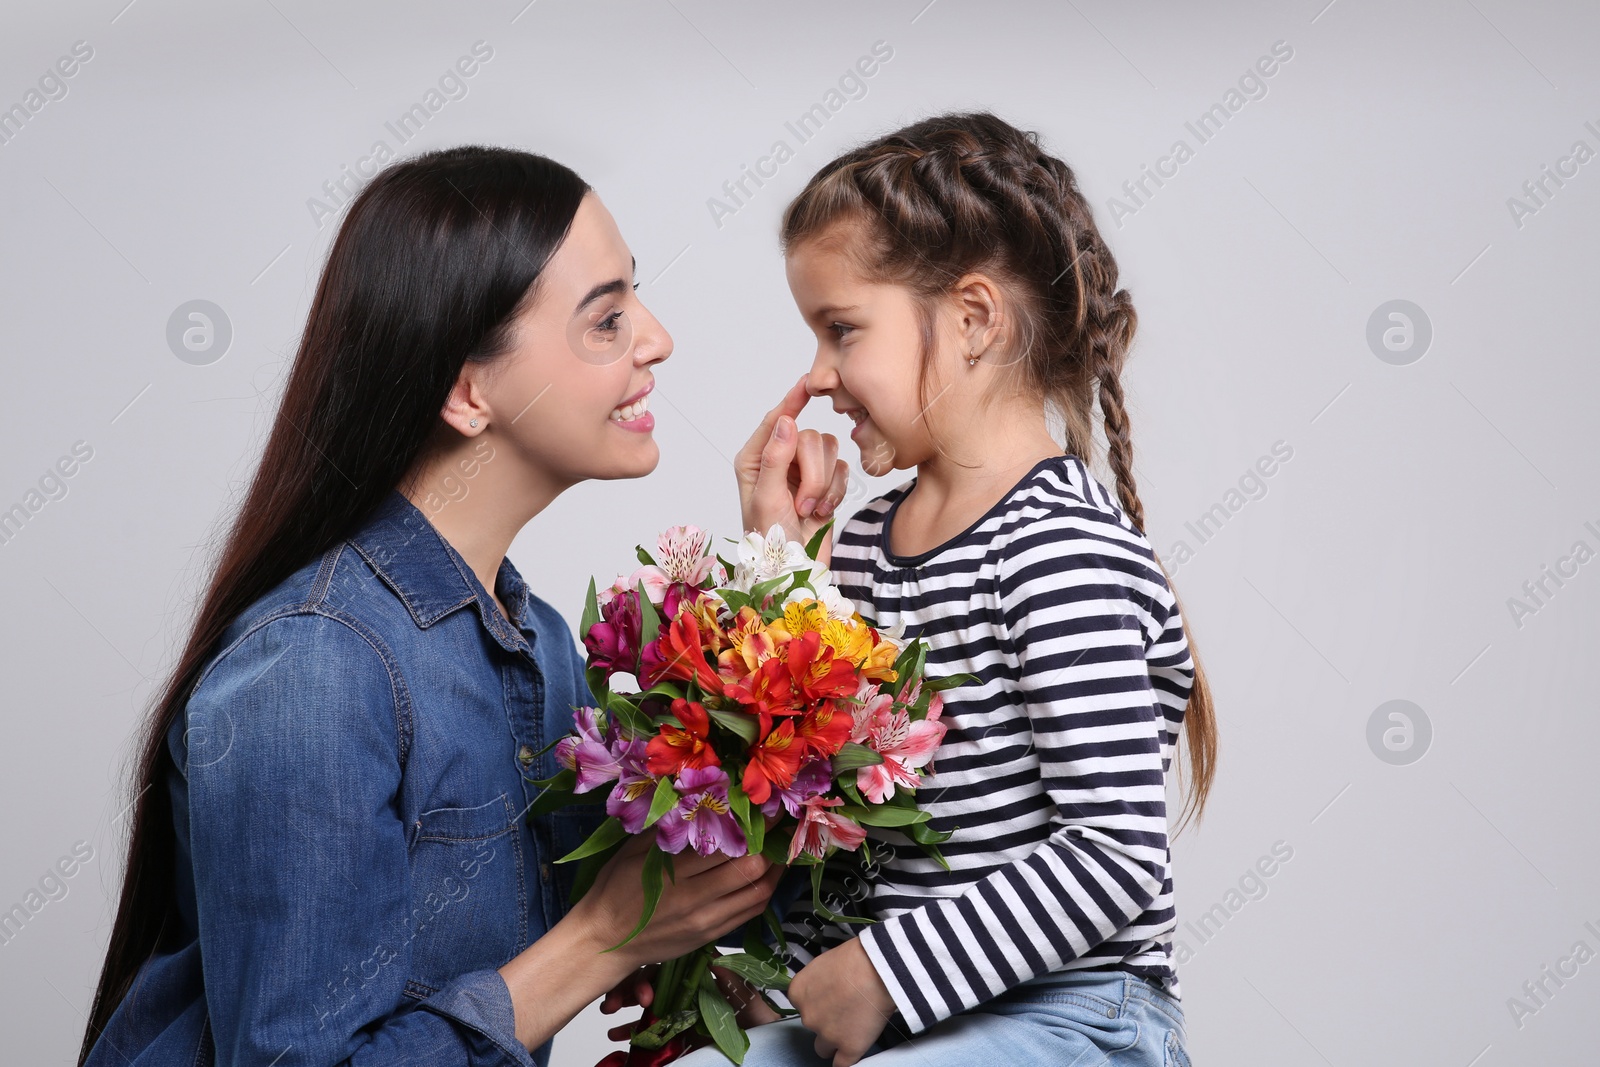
(972, 194)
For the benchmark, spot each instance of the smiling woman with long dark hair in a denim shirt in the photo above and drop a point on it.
(330, 861)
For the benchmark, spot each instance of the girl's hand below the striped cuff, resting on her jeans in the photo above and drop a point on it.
(844, 1002)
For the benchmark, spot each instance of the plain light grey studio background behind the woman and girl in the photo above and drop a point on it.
(1378, 565)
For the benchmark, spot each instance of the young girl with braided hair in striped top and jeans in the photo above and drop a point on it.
(962, 298)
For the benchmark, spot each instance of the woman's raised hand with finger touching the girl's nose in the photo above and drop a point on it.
(788, 476)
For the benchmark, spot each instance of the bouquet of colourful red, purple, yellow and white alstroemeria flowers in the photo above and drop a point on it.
(762, 695)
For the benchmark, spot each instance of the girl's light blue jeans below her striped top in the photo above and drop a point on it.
(1065, 1020)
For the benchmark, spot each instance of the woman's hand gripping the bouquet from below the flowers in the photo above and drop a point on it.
(708, 898)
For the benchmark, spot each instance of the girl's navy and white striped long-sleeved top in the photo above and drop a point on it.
(1054, 769)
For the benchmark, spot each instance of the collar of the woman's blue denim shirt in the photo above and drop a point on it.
(431, 578)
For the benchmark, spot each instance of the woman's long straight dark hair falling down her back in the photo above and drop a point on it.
(433, 263)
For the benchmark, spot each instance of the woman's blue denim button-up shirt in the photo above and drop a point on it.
(354, 861)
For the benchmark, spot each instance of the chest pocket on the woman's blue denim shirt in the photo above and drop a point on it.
(470, 897)
